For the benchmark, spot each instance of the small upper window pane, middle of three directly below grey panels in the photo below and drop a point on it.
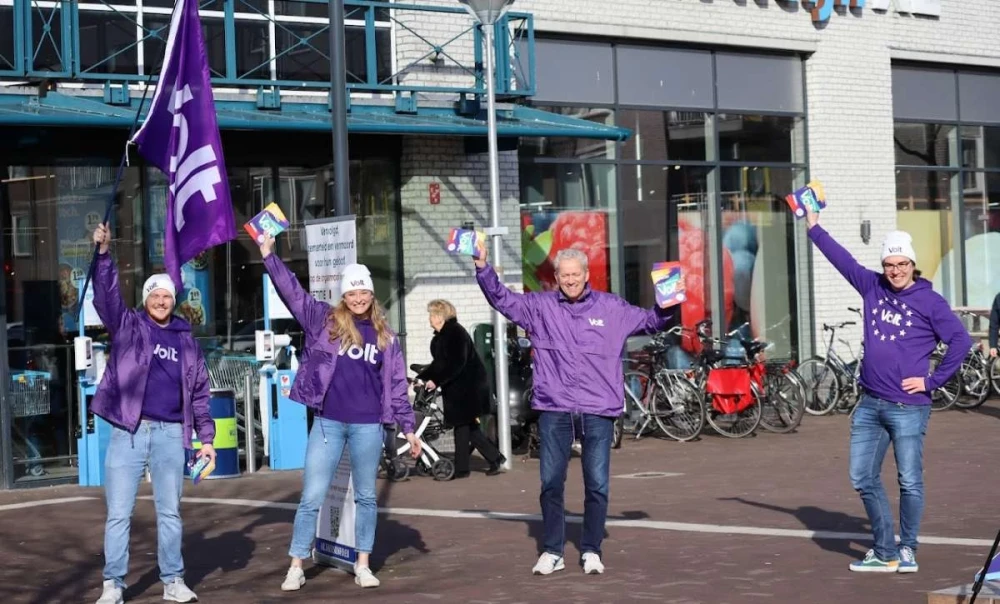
(663, 135)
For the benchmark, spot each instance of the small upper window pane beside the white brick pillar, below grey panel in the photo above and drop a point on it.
(760, 138)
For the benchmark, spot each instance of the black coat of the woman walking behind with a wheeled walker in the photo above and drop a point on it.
(460, 373)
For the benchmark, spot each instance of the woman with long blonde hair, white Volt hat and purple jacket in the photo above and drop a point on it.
(353, 377)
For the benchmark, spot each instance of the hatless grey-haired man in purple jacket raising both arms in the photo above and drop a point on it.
(578, 336)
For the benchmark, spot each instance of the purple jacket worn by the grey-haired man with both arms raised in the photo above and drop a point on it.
(577, 346)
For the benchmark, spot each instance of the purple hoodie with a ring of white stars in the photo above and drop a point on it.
(902, 328)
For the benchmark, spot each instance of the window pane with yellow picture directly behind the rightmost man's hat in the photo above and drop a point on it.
(924, 209)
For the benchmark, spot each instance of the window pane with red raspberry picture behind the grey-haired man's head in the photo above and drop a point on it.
(566, 206)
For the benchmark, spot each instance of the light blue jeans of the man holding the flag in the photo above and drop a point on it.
(160, 447)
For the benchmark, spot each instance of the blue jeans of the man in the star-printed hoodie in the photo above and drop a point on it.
(875, 425)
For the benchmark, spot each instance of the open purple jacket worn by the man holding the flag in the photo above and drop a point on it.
(122, 389)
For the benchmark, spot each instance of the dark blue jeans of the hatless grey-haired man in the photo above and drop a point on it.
(556, 432)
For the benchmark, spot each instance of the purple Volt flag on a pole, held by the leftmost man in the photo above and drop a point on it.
(181, 137)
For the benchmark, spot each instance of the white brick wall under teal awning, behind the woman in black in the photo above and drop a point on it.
(430, 272)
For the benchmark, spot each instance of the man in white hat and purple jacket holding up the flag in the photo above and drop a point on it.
(155, 392)
